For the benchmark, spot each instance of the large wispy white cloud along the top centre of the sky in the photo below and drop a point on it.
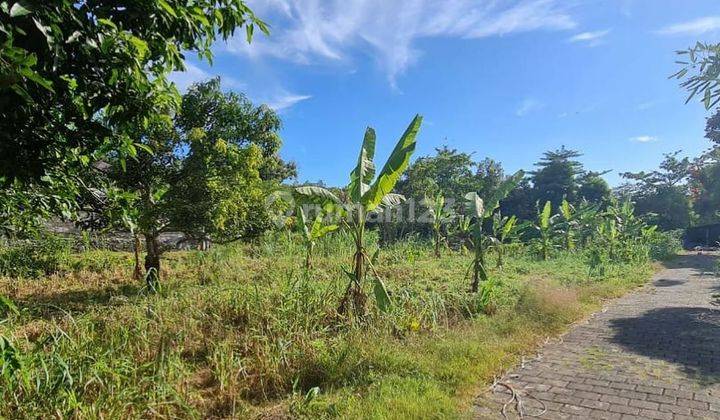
(311, 31)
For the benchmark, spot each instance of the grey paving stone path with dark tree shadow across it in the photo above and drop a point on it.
(654, 354)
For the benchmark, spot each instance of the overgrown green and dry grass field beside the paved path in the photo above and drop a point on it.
(246, 331)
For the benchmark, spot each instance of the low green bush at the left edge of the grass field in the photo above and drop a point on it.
(35, 258)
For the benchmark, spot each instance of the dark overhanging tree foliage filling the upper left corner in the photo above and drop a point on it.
(79, 76)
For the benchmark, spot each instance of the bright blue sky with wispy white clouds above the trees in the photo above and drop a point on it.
(506, 79)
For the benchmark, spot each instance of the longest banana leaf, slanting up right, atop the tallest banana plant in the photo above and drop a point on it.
(394, 167)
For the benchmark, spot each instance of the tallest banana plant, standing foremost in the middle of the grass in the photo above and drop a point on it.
(367, 193)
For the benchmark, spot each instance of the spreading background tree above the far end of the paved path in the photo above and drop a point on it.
(662, 195)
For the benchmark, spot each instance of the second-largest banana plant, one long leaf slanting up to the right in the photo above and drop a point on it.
(479, 212)
